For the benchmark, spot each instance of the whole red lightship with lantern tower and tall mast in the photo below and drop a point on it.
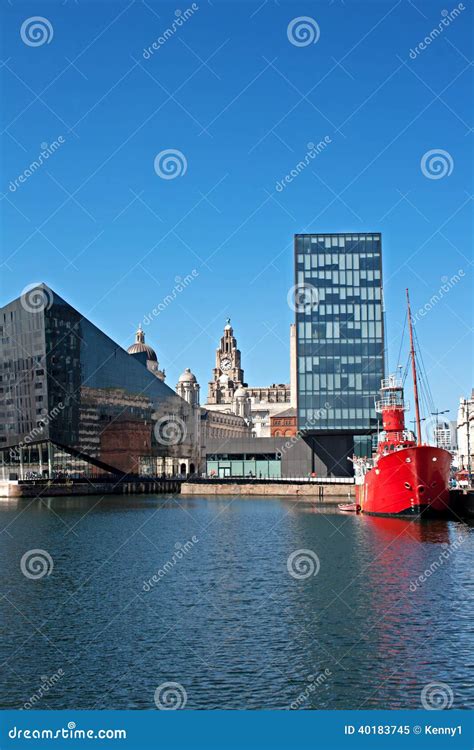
(404, 477)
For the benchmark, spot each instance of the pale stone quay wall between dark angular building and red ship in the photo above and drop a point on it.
(309, 490)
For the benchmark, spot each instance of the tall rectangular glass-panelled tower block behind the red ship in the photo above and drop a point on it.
(340, 344)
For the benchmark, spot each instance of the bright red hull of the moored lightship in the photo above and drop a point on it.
(410, 482)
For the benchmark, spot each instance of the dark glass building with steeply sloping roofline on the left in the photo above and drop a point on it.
(74, 403)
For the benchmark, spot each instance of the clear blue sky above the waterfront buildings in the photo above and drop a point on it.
(231, 92)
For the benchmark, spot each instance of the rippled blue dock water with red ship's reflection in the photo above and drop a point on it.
(245, 603)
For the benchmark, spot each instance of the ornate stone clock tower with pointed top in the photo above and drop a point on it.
(227, 374)
